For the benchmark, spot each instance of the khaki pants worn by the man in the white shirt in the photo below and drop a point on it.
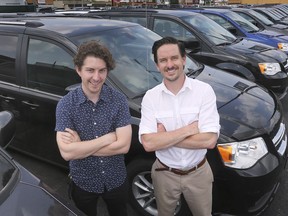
(196, 188)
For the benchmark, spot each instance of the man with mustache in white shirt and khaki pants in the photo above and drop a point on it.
(179, 121)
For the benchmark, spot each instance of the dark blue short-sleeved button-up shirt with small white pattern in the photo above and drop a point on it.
(91, 120)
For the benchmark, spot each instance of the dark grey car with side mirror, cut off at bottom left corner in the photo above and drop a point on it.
(22, 193)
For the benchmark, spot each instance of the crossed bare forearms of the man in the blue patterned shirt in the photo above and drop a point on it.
(71, 147)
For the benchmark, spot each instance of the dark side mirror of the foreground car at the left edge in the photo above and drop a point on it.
(7, 128)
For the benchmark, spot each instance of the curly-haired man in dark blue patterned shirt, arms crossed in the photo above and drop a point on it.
(93, 134)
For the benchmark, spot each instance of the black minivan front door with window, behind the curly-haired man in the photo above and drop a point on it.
(48, 69)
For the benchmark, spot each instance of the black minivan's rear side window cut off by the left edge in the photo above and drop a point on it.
(7, 58)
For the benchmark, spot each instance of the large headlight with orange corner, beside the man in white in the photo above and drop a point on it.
(242, 155)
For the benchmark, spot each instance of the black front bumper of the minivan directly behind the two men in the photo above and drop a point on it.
(251, 191)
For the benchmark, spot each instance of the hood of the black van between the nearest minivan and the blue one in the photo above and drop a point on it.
(256, 52)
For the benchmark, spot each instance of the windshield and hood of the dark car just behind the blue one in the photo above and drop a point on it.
(261, 21)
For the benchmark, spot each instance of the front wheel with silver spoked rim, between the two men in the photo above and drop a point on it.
(141, 192)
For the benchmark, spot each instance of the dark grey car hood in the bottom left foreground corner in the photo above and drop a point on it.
(31, 197)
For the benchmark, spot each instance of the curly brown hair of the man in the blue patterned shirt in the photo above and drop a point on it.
(94, 48)
